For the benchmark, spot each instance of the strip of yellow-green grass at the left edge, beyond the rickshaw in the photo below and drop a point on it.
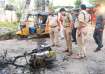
(9, 25)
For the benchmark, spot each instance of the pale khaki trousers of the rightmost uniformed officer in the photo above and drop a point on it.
(81, 40)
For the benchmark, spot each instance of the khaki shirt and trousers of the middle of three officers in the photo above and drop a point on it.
(67, 31)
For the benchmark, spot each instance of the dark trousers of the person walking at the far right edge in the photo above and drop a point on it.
(98, 35)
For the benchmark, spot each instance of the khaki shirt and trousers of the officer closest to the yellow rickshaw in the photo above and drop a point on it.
(52, 21)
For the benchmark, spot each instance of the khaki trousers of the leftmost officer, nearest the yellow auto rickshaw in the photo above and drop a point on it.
(54, 35)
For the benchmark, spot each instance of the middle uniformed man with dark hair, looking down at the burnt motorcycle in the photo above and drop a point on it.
(67, 19)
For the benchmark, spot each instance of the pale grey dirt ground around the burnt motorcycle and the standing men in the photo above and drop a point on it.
(94, 63)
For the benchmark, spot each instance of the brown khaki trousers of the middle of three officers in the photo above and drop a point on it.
(67, 35)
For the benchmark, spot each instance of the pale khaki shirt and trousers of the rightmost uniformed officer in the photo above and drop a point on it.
(82, 32)
